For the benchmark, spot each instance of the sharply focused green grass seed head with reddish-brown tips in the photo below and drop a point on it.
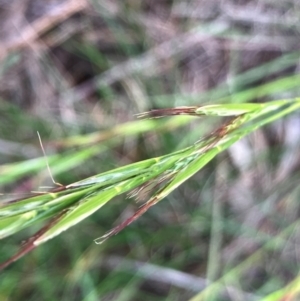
(65, 206)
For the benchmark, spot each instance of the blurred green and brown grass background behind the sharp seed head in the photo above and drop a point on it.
(78, 71)
